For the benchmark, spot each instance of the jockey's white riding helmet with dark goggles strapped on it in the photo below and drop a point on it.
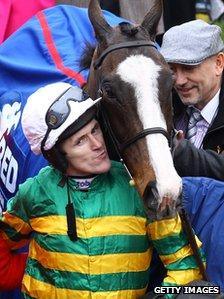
(51, 110)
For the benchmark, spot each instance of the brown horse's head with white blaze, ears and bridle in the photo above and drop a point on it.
(135, 83)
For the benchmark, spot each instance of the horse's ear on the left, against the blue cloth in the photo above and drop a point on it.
(100, 25)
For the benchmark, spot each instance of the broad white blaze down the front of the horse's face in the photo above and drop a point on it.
(142, 73)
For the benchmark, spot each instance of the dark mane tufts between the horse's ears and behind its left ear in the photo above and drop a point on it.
(86, 58)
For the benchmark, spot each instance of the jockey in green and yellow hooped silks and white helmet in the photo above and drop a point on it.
(87, 229)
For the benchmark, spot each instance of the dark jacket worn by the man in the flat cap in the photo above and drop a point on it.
(209, 161)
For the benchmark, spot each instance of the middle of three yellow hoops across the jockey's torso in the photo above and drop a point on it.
(96, 264)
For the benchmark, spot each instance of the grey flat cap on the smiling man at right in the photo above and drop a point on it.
(191, 42)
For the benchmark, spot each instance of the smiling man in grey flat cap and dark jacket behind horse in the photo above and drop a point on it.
(194, 51)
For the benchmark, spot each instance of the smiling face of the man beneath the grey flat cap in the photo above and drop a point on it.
(196, 85)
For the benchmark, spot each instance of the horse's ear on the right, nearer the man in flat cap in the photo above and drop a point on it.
(152, 18)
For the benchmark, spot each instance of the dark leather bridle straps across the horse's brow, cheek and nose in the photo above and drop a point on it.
(120, 147)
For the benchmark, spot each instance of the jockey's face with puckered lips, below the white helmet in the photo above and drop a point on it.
(86, 152)
